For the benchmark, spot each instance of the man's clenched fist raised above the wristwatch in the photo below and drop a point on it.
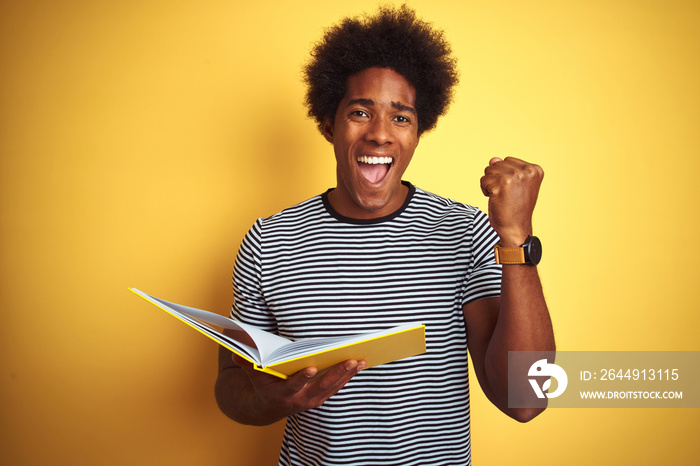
(512, 186)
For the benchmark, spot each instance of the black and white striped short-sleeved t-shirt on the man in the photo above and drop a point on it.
(310, 272)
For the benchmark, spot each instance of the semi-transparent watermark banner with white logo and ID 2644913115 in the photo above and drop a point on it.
(604, 379)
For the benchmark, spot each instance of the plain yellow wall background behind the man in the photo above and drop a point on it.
(140, 139)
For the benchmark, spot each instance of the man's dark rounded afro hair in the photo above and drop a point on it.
(394, 39)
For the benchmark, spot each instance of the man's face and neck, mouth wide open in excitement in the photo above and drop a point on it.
(374, 135)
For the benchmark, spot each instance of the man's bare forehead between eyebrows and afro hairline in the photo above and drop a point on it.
(382, 86)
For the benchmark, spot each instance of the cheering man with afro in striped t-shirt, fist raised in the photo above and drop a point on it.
(376, 251)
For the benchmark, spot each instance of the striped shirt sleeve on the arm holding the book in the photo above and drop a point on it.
(249, 303)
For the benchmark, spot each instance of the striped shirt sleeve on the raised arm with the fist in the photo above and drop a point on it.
(483, 279)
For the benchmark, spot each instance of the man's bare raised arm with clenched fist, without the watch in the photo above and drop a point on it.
(518, 320)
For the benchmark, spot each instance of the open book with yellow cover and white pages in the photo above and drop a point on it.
(282, 357)
